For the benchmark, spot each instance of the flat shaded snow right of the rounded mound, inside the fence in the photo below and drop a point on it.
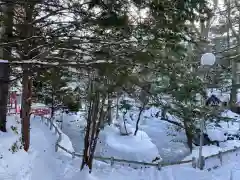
(170, 141)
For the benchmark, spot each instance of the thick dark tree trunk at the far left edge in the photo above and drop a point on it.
(6, 33)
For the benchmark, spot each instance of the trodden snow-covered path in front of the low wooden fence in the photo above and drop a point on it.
(41, 162)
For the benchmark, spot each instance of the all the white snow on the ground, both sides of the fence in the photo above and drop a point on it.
(42, 162)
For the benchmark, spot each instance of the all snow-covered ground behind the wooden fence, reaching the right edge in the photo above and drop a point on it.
(156, 138)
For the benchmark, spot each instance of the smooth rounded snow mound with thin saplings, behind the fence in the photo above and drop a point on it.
(137, 148)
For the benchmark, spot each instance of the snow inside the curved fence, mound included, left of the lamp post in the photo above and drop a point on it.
(155, 136)
